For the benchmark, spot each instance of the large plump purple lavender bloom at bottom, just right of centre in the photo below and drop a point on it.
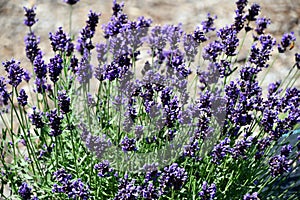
(172, 177)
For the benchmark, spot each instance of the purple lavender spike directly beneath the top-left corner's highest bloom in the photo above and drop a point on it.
(31, 46)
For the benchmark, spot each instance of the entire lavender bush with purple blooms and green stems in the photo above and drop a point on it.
(164, 114)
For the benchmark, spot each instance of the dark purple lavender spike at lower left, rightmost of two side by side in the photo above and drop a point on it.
(54, 123)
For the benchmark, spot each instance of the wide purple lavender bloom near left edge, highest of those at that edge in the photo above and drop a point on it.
(15, 72)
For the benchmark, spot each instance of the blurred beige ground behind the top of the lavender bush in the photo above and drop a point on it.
(284, 14)
